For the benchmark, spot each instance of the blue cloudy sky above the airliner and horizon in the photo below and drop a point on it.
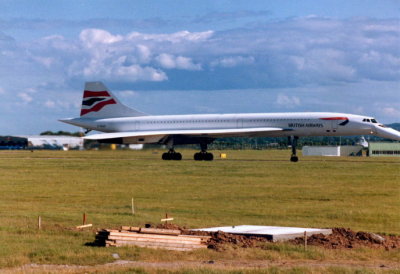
(185, 57)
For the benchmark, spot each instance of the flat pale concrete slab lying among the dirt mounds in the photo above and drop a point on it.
(274, 233)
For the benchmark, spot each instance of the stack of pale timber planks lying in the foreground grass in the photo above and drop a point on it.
(150, 237)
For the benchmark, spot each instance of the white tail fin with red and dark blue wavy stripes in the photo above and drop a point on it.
(99, 102)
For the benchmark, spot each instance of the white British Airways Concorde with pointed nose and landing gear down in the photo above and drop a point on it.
(102, 111)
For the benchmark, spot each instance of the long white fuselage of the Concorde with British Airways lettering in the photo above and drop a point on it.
(298, 124)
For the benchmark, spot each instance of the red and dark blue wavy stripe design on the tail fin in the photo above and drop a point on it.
(94, 101)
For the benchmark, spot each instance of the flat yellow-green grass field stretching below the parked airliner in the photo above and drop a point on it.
(250, 187)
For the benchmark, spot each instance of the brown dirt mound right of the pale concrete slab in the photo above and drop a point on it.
(347, 238)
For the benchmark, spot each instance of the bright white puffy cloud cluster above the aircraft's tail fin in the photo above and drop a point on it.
(131, 58)
